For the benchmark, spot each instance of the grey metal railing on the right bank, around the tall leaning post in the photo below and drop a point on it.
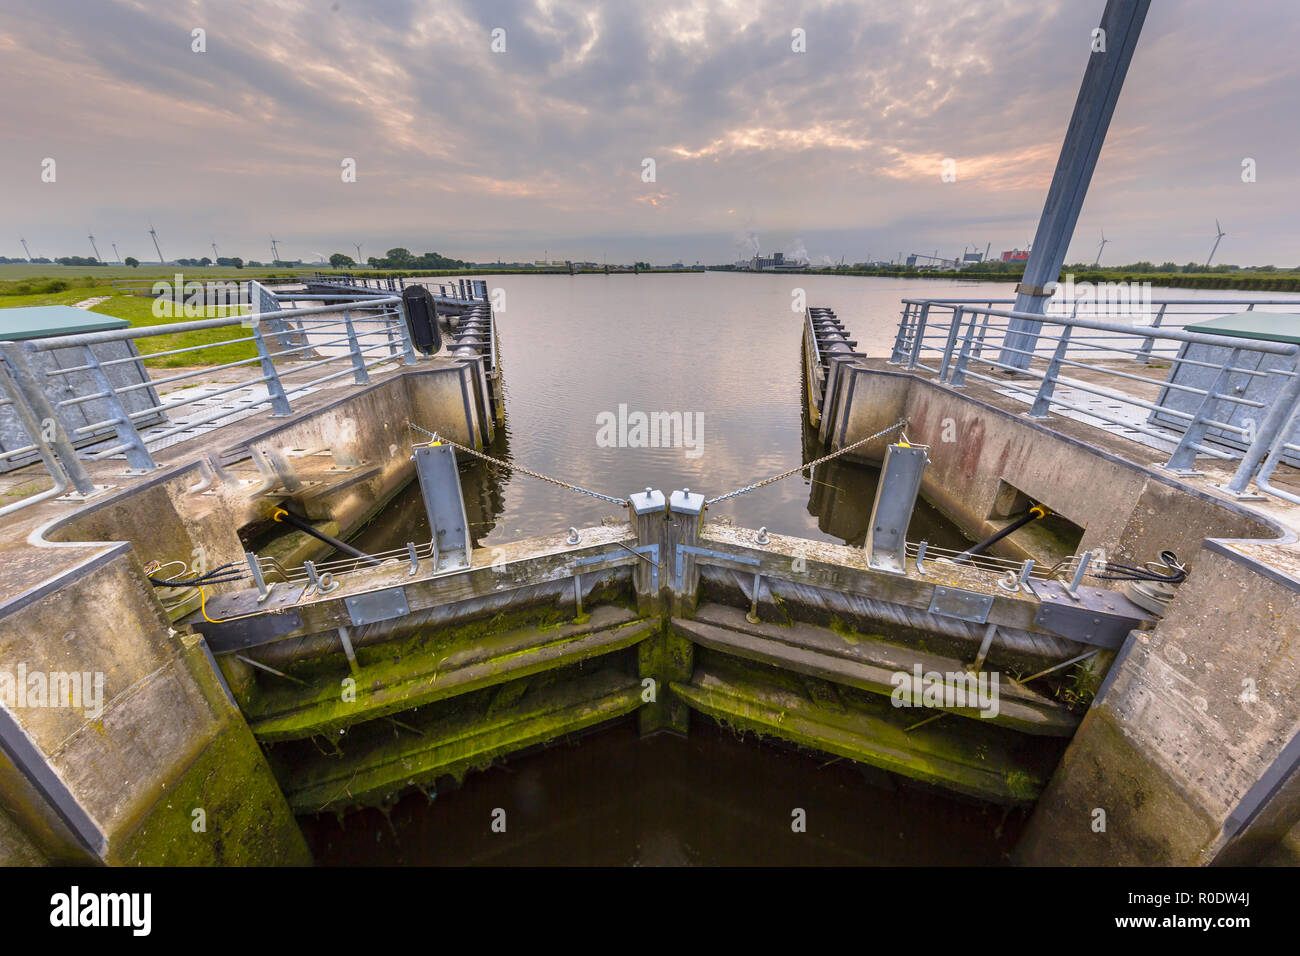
(1072, 356)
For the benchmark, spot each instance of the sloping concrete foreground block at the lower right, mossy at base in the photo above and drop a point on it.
(1198, 712)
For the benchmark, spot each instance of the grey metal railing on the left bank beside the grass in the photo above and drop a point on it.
(88, 397)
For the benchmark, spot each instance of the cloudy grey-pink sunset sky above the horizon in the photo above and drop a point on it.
(499, 129)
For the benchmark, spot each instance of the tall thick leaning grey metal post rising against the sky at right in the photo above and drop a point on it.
(1103, 80)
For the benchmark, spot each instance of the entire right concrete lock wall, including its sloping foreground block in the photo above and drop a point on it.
(1195, 719)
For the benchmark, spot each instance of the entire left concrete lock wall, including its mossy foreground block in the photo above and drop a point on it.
(163, 769)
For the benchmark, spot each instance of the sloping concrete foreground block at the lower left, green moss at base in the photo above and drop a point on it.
(161, 724)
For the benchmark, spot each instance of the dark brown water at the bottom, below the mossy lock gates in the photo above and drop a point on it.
(712, 799)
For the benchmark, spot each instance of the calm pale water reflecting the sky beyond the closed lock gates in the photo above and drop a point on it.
(721, 345)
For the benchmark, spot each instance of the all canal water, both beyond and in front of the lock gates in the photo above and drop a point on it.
(725, 351)
